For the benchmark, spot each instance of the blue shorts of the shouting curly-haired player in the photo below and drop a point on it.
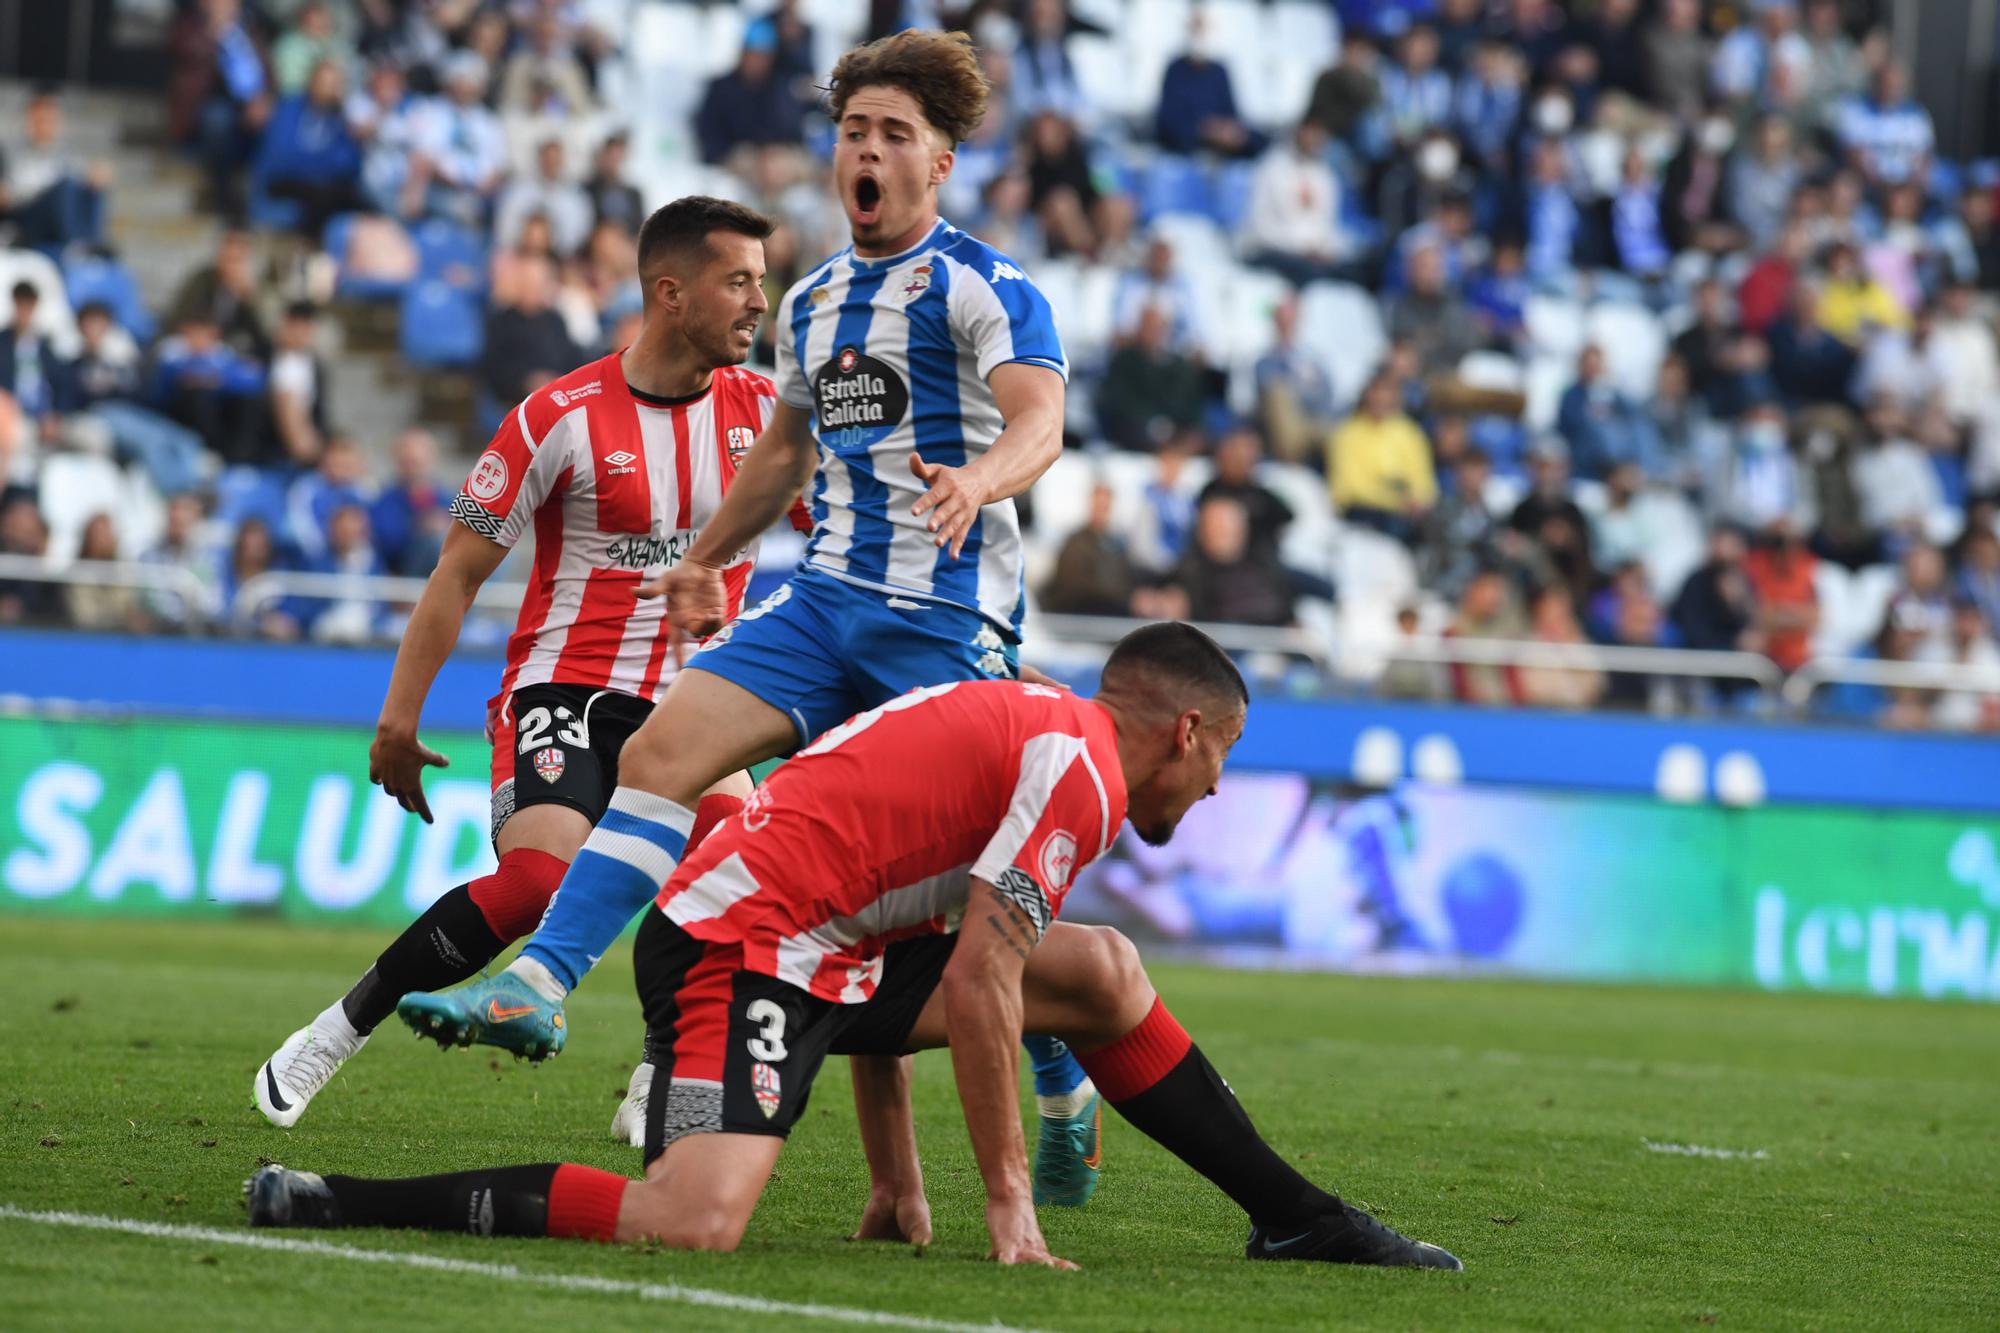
(821, 649)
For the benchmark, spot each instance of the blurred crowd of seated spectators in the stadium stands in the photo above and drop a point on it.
(1627, 321)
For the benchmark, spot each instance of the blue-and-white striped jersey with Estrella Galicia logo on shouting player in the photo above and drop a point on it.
(891, 357)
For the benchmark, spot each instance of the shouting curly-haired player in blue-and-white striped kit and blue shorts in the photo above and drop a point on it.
(925, 375)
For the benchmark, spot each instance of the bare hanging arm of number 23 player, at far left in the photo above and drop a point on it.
(397, 760)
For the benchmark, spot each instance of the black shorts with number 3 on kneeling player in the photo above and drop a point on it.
(737, 1052)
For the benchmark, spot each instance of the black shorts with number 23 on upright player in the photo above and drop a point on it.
(559, 746)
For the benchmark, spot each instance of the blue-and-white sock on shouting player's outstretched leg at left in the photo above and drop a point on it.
(621, 870)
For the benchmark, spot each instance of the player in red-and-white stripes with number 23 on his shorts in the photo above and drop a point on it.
(617, 467)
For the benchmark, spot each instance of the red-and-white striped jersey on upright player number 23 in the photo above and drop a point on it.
(617, 487)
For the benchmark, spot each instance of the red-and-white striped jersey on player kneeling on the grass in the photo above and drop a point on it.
(875, 832)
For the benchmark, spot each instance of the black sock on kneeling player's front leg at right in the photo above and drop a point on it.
(1195, 1116)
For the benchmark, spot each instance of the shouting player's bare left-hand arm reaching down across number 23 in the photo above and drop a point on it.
(771, 477)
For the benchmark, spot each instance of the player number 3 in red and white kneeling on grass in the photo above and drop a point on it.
(895, 888)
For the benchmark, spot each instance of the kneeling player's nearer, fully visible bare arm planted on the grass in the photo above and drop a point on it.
(983, 1012)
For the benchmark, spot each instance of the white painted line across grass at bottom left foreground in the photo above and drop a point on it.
(503, 1272)
